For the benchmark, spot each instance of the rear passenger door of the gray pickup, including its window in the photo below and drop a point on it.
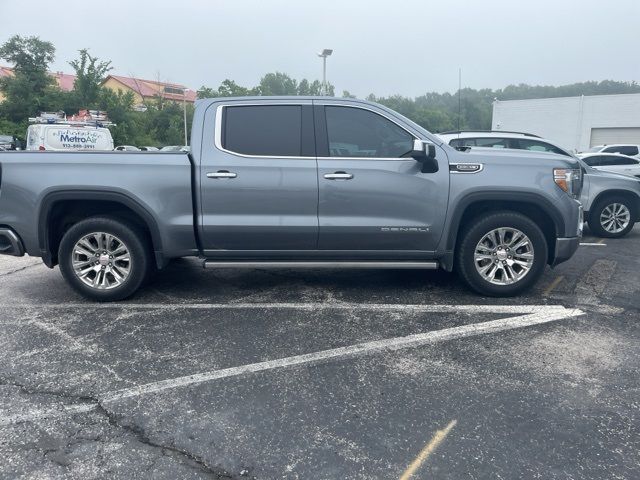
(258, 178)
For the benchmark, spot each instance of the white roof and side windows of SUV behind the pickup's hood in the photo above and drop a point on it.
(500, 139)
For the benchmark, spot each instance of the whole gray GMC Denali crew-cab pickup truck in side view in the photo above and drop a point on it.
(293, 182)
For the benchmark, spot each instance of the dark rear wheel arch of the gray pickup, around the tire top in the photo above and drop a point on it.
(59, 208)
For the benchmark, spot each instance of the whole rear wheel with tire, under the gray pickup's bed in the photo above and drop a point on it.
(104, 259)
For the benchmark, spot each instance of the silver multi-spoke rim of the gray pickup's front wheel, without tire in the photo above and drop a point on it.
(503, 256)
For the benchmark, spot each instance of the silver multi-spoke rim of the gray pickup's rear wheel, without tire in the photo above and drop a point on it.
(101, 261)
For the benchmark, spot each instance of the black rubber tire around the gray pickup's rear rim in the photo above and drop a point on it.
(135, 241)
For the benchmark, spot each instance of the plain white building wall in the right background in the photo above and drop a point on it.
(567, 121)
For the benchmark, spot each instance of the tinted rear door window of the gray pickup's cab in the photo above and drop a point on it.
(263, 130)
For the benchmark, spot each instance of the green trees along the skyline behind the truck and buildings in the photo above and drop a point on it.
(32, 89)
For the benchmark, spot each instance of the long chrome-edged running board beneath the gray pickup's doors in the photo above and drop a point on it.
(319, 264)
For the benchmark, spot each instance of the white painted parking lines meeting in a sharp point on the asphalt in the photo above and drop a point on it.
(529, 315)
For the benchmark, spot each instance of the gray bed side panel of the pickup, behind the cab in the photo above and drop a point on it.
(155, 184)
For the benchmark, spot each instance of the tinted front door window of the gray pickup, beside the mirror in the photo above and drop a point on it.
(355, 132)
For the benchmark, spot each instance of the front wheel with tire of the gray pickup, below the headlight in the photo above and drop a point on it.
(501, 254)
